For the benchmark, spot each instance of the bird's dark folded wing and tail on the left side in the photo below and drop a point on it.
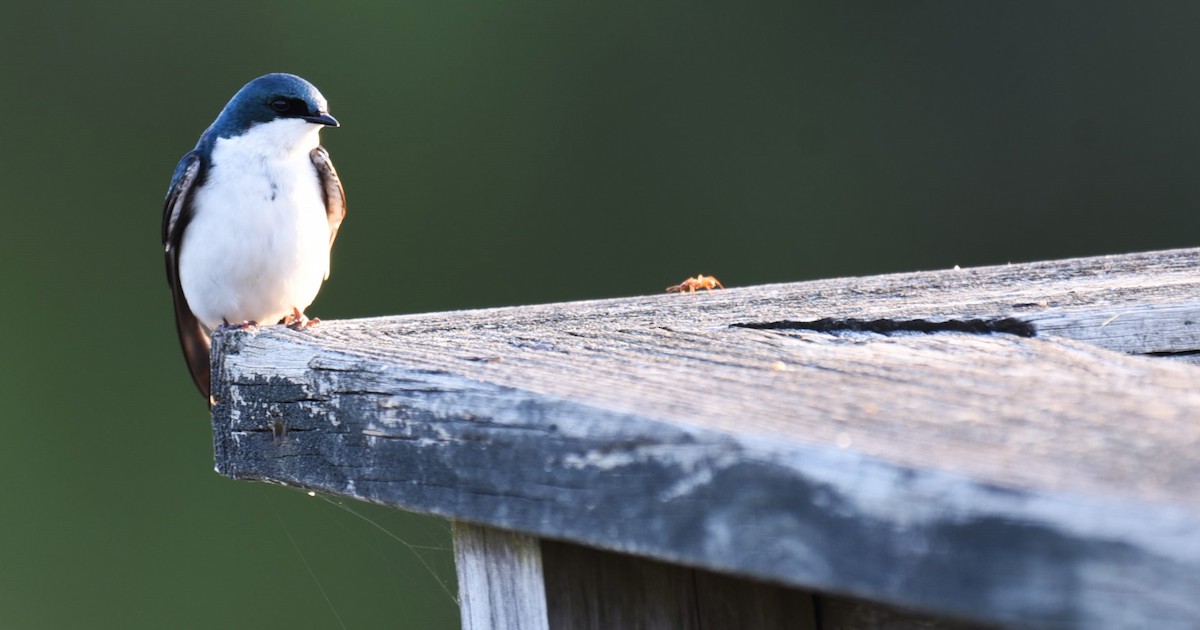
(176, 214)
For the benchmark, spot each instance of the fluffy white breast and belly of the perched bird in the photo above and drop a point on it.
(259, 242)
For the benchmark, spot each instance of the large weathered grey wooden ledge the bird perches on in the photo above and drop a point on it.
(997, 477)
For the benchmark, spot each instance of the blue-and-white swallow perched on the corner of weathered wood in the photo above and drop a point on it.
(251, 217)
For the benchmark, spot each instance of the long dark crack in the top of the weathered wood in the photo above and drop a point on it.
(1006, 326)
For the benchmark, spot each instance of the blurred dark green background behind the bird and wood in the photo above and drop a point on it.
(502, 154)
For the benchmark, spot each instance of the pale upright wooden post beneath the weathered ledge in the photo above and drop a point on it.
(500, 580)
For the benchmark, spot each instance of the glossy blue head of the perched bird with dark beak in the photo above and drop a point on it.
(272, 98)
